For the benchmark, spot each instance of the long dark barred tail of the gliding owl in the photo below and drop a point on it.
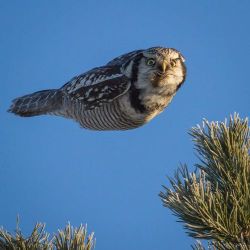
(38, 103)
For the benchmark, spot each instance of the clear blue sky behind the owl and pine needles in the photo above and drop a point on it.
(53, 171)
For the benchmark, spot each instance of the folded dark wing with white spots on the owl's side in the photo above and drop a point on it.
(97, 87)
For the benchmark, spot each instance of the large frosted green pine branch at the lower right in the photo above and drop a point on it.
(213, 202)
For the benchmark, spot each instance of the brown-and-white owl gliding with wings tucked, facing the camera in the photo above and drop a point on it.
(126, 93)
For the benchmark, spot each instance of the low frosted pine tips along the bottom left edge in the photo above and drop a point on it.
(68, 239)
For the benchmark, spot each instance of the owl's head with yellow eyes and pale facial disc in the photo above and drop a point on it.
(163, 66)
